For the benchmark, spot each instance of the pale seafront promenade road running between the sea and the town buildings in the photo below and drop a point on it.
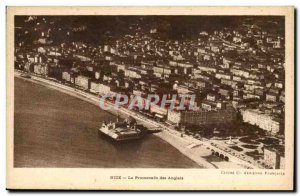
(168, 134)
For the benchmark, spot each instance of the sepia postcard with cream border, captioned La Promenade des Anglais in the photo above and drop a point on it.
(109, 89)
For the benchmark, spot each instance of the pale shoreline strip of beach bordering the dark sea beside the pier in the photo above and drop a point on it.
(190, 147)
